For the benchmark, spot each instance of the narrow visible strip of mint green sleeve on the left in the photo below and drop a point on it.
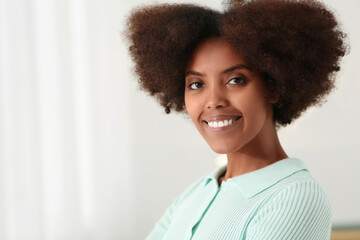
(162, 225)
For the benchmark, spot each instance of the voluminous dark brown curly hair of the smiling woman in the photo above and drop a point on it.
(297, 45)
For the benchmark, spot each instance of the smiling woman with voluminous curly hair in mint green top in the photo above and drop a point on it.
(241, 74)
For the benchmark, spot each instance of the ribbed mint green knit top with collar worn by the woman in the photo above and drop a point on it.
(279, 201)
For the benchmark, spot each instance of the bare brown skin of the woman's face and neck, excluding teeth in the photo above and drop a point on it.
(220, 83)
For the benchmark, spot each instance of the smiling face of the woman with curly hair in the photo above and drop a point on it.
(225, 98)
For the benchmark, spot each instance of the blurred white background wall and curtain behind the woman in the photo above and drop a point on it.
(84, 154)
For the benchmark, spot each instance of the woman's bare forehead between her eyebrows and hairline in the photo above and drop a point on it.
(215, 54)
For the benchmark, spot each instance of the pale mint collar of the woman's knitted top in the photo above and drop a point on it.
(252, 183)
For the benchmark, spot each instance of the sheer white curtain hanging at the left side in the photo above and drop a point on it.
(63, 114)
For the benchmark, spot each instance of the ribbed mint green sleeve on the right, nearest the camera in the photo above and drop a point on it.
(300, 211)
